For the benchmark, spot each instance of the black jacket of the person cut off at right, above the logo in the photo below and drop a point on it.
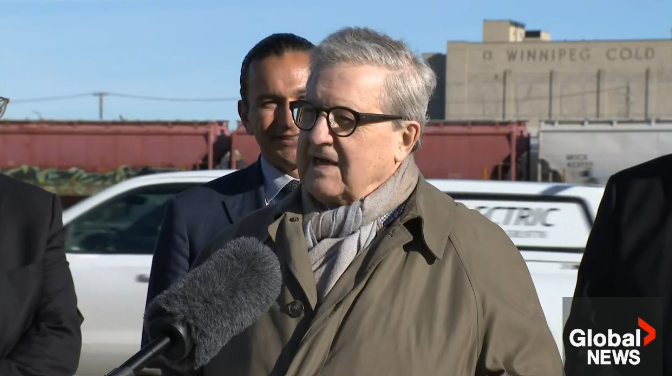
(629, 250)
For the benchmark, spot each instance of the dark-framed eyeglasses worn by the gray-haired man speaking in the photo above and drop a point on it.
(342, 120)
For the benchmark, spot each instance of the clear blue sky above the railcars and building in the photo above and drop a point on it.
(193, 49)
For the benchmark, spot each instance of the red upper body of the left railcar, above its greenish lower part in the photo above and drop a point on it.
(101, 146)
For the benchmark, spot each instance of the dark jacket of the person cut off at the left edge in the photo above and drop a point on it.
(40, 325)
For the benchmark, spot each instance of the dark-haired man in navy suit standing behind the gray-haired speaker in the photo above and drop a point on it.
(273, 73)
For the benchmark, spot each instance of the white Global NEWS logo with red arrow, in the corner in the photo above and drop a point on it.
(613, 348)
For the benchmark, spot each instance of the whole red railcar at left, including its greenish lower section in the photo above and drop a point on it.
(78, 158)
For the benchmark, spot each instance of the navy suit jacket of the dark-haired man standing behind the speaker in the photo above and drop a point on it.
(194, 217)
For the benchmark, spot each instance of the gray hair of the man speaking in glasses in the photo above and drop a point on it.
(411, 81)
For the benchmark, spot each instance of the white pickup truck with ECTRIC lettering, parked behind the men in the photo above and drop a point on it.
(110, 238)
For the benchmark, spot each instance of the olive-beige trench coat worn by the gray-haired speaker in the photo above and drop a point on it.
(442, 291)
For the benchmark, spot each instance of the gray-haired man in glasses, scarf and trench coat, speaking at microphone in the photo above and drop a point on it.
(383, 273)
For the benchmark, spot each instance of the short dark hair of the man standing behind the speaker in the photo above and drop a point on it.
(273, 45)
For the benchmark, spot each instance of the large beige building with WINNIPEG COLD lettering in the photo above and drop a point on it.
(521, 74)
